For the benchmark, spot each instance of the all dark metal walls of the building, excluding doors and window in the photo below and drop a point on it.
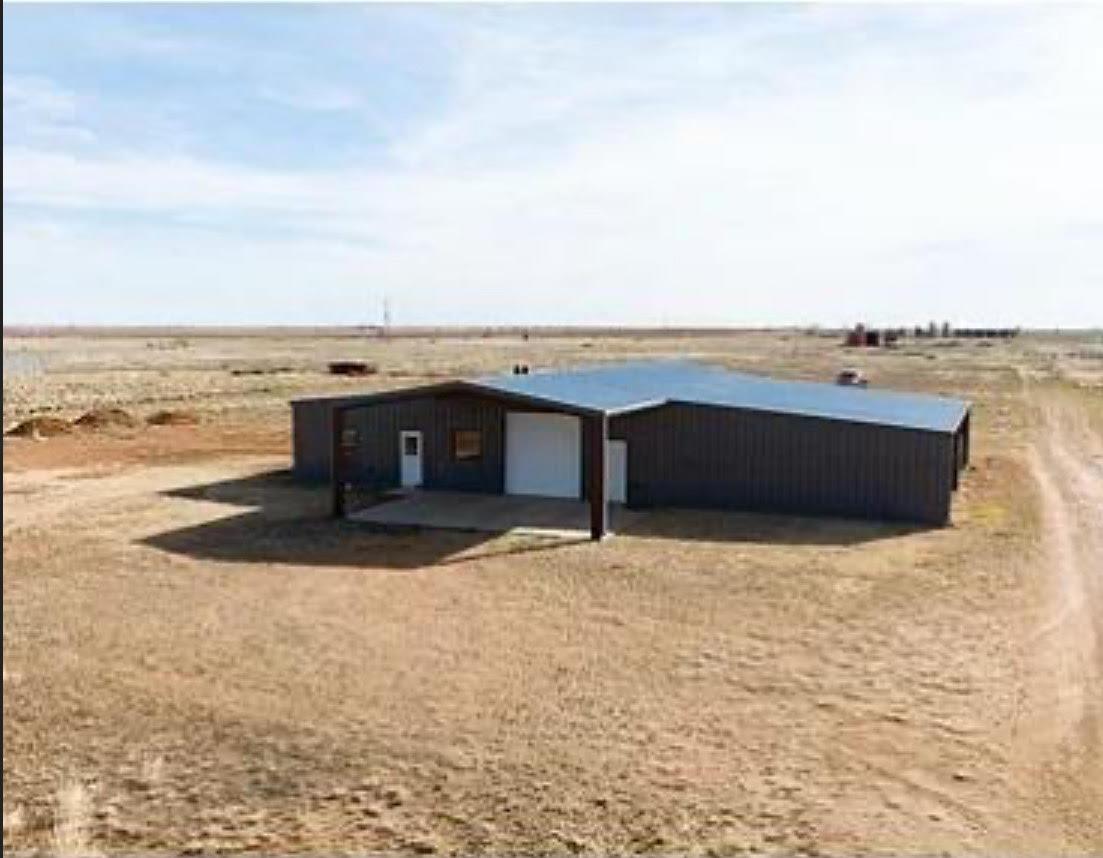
(679, 456)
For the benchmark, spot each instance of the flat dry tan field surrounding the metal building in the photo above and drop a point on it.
(196, 658)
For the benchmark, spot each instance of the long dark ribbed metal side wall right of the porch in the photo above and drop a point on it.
(704, 457)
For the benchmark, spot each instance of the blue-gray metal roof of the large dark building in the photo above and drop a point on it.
(616, 389)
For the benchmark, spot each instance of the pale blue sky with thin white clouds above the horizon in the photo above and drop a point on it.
(558, 165)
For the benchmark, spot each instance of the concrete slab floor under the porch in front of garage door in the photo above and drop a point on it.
(490, 513)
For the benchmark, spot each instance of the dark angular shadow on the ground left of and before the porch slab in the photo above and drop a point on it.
(288, 523)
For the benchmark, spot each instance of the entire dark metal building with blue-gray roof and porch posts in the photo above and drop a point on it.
(648, 434)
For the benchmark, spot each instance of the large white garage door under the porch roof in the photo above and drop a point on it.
(543, 455)
